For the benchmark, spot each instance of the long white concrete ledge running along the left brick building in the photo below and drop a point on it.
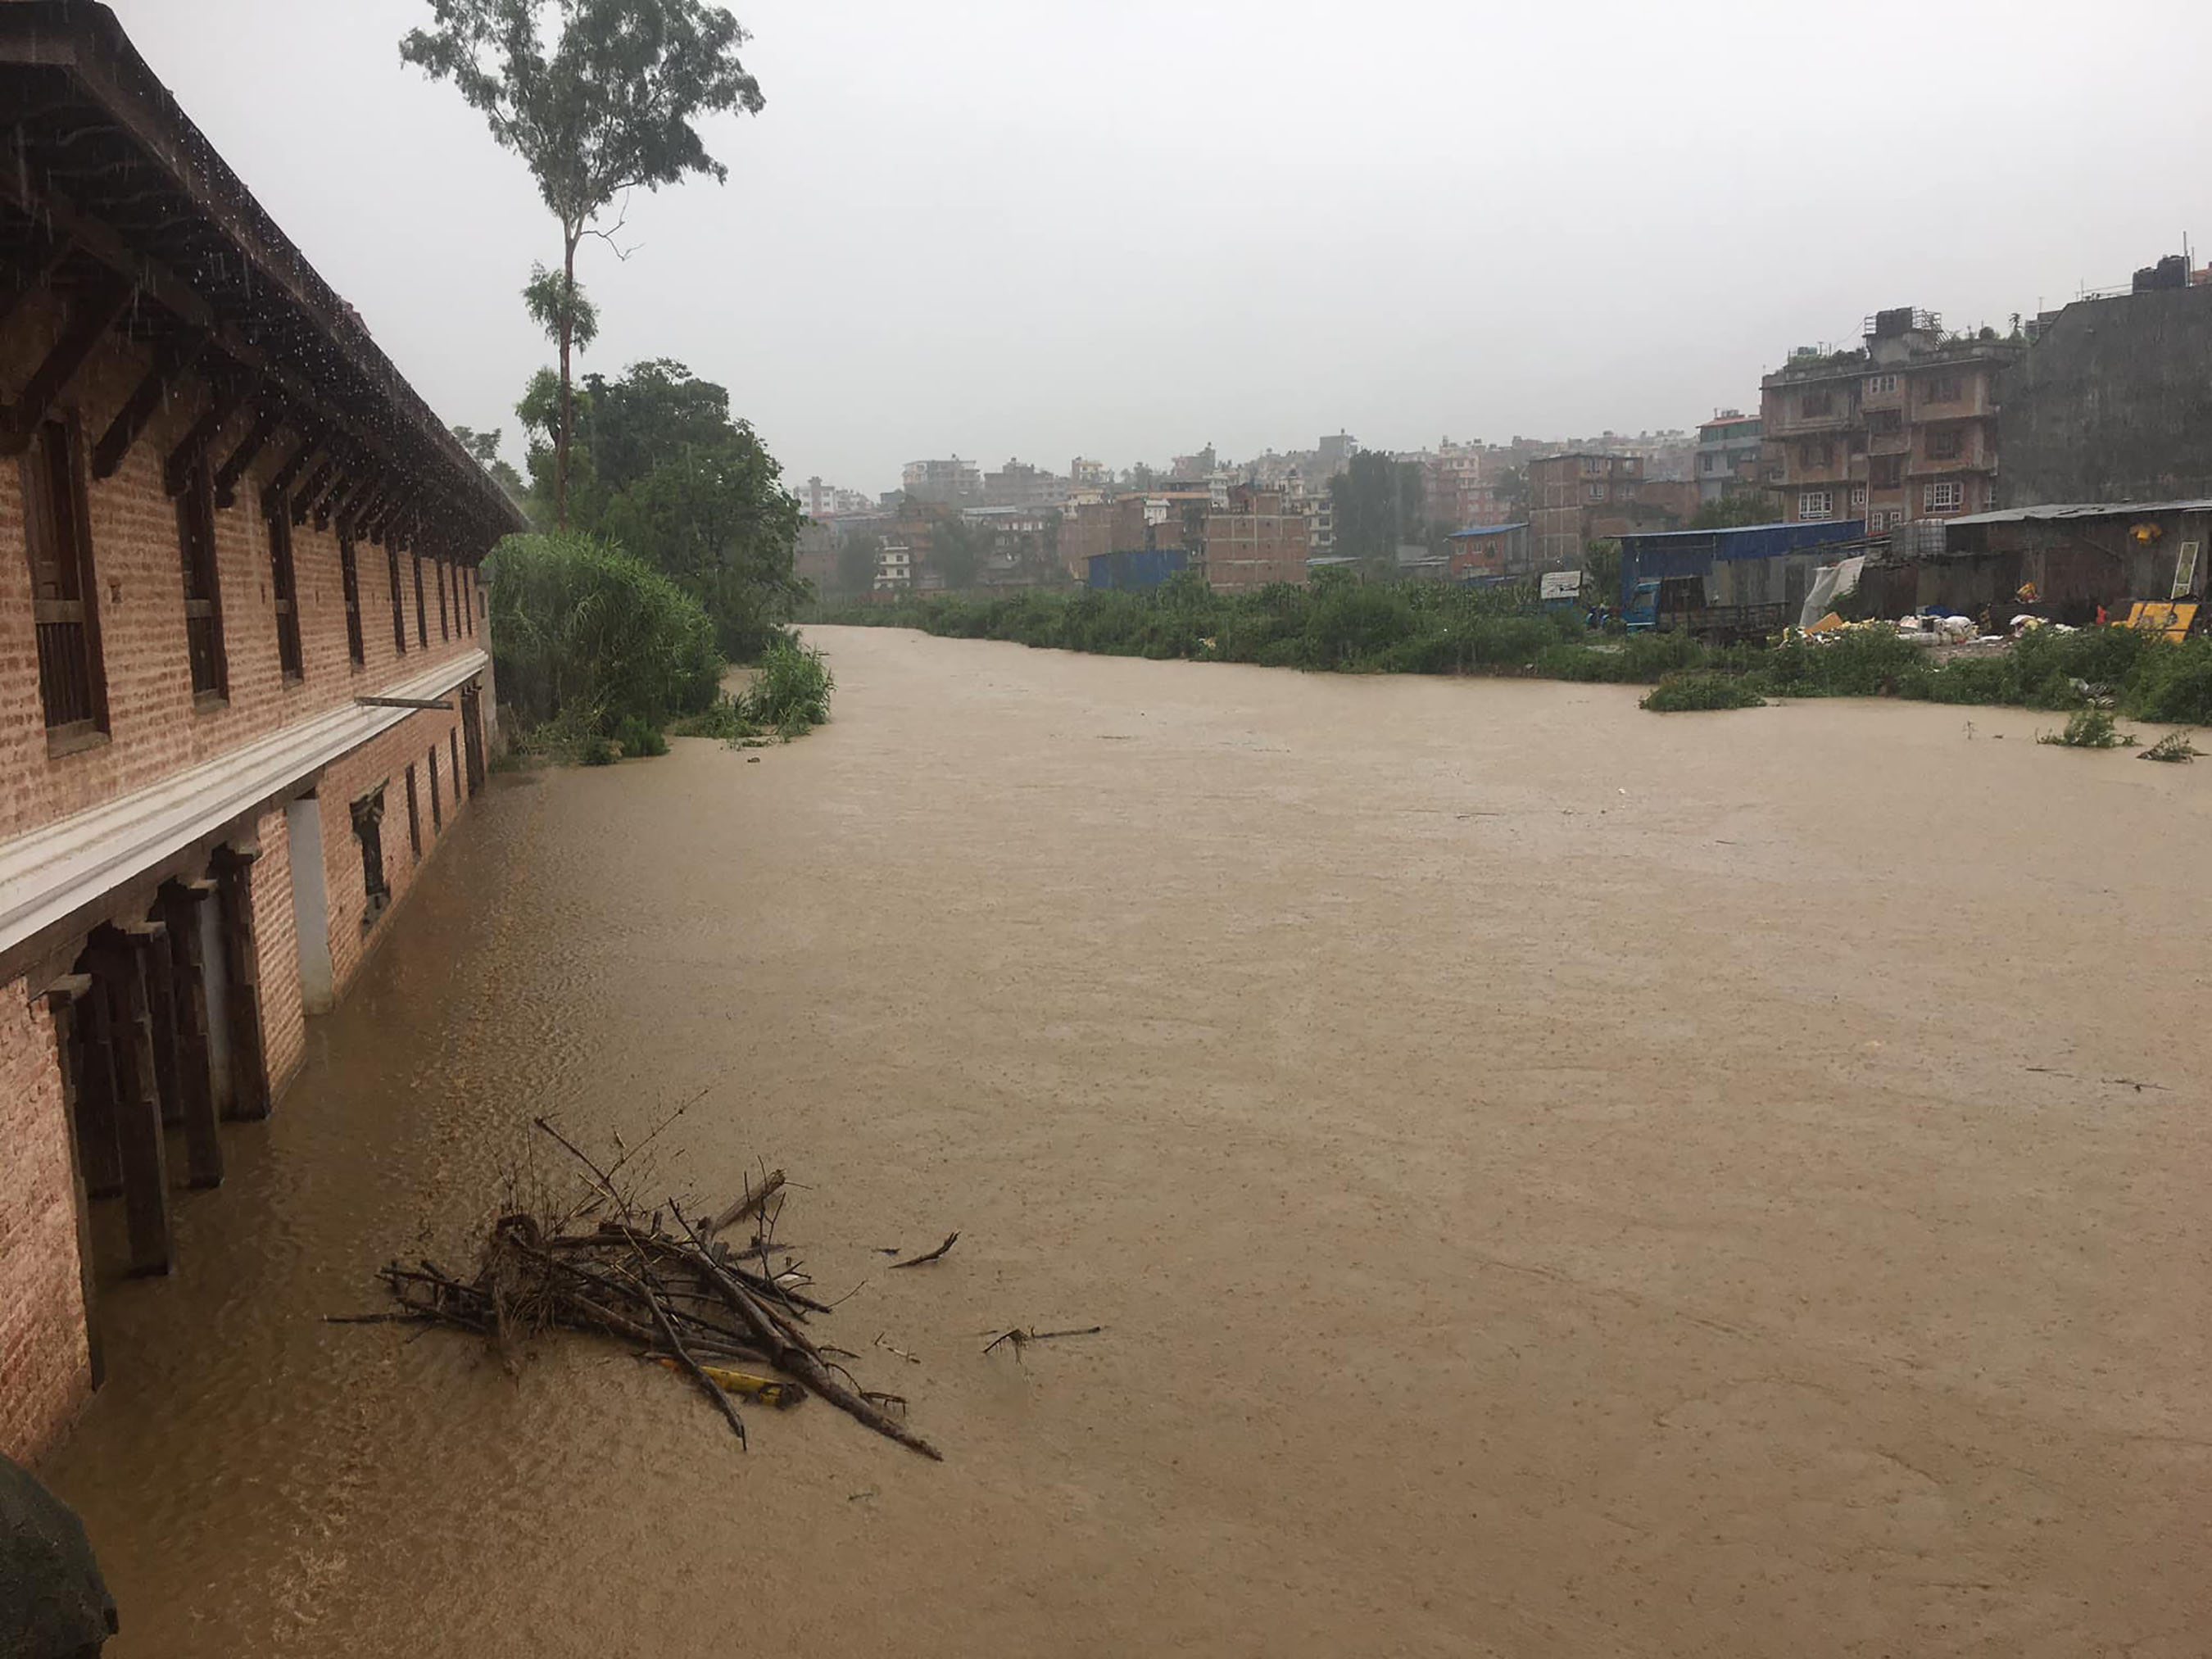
(65, 864)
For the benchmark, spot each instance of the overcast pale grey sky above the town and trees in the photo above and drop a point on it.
(1041, 229)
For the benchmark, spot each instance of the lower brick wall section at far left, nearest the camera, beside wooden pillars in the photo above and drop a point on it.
(45, 1368)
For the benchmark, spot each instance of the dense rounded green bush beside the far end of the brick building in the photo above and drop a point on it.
(589, 638)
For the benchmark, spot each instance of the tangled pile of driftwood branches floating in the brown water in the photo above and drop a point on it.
(669, 1284)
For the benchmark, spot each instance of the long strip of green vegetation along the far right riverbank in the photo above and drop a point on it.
(1344, 625)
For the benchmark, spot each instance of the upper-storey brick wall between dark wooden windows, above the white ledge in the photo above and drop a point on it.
(154, 724)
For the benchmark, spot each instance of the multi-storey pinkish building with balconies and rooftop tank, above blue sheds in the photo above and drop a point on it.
(1906, 428)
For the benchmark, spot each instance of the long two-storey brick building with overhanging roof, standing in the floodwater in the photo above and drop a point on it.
(244, 676)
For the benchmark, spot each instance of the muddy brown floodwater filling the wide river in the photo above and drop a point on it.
(1556, 1182)
